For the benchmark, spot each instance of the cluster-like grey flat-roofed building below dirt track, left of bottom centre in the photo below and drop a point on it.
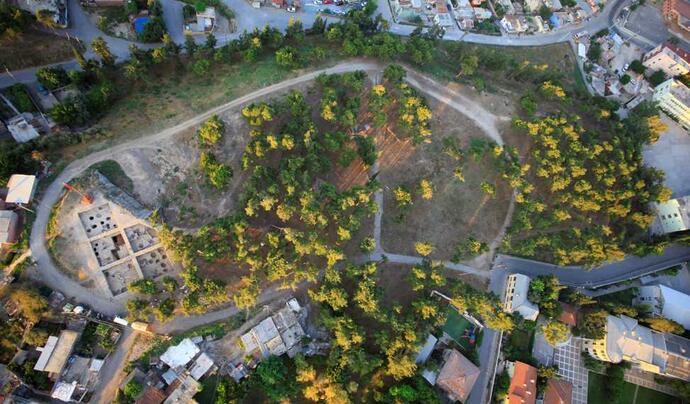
(275, 335)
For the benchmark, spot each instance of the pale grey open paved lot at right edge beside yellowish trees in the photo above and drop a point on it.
(670, 154)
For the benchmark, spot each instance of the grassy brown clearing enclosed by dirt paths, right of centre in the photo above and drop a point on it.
(457, 209)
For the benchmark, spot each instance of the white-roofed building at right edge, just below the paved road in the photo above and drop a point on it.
(666, 302)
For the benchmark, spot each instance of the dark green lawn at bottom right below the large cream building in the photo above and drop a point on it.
(596, 393)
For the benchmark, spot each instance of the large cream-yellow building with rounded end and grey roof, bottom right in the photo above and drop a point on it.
(648, 350)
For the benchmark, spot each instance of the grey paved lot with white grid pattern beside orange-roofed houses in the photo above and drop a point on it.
(572, 369)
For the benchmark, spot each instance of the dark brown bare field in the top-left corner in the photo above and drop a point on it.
(33, 48)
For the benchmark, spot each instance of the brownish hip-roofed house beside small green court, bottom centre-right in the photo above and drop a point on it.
(457, 376)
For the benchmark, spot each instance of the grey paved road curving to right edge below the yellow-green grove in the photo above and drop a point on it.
(631, 267)
